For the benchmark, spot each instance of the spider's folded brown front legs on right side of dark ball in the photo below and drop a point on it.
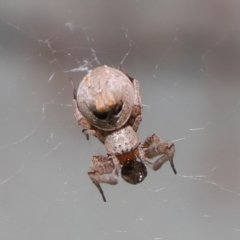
(154, 146)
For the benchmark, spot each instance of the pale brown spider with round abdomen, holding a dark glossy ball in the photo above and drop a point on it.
(108, 106)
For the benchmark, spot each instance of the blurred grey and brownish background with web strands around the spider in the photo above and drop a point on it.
(186, 55)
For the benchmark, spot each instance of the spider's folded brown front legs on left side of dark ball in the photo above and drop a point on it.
(104, 165)
